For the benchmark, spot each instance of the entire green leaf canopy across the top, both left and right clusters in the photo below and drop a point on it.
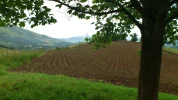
(113, 16)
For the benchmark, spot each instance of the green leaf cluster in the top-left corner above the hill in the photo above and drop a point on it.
(17, 12)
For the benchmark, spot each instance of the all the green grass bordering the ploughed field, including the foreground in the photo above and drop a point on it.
(36, 86)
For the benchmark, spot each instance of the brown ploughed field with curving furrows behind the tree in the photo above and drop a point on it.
(117, 64)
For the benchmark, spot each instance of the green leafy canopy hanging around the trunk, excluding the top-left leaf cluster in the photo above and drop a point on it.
(119, 16)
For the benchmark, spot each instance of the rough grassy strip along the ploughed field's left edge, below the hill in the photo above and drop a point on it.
(16, 59)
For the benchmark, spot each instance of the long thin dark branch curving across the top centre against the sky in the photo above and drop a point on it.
(86, 12)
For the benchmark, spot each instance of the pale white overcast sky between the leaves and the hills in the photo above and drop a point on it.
(66, 26)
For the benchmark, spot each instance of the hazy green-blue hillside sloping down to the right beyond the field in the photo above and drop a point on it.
(18, 38)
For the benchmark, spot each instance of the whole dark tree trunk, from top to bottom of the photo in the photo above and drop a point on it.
(153, 25)
